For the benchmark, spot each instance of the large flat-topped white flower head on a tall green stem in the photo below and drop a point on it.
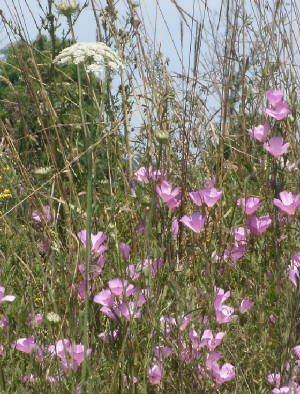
(93, 54)
